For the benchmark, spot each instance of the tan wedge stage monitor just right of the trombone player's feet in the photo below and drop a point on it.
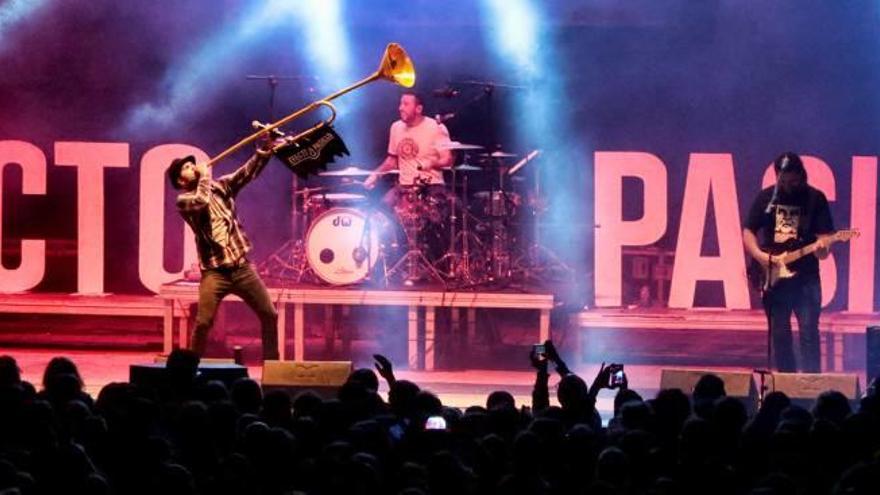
(322, 377)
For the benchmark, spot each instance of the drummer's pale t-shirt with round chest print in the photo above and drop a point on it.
(415, 146)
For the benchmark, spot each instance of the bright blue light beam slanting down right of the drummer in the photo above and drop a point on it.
(525, 43)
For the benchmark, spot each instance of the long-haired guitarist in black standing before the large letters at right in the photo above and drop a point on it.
(790, 215)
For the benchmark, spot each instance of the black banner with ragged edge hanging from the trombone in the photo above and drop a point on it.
(313, 152)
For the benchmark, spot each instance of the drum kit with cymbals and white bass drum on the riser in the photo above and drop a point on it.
(444, 235)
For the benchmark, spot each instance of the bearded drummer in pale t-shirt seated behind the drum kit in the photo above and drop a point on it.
(413, 150)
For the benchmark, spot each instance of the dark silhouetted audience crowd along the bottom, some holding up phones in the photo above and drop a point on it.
(192, 436)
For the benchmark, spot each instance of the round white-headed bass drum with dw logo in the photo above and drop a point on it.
(343, 244)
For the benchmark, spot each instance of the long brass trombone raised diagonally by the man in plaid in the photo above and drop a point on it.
(395, 66)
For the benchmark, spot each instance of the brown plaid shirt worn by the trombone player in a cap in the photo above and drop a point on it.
(209, 210)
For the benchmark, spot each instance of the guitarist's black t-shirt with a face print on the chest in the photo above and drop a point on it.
(793, 222)
